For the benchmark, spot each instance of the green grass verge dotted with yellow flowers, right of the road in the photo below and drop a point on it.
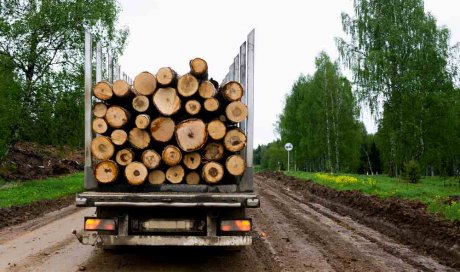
(432, 191)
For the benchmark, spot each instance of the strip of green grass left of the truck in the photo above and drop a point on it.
(26, 192)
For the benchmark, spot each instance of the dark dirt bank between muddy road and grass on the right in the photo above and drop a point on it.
(404, 220)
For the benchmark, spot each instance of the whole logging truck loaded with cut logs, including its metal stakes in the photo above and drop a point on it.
(168, 157)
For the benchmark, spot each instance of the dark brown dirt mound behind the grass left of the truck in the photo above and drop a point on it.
(25, 161)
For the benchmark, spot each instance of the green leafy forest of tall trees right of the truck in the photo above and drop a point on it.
(403, 66)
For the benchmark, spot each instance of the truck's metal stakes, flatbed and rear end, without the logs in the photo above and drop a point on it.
(170, 215)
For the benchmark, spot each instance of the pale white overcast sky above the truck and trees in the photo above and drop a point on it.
(289, 35)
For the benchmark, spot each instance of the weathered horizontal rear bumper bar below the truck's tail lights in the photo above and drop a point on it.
(88, 238)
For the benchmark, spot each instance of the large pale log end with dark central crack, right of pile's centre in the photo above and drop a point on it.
(191, 134)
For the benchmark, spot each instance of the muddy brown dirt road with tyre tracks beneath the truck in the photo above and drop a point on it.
(291, 234)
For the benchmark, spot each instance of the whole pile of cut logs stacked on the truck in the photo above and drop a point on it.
(179, 129)
